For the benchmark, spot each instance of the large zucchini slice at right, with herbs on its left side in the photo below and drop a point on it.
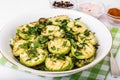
(84, 50)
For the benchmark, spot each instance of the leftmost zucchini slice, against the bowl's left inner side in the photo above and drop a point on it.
(17, 50)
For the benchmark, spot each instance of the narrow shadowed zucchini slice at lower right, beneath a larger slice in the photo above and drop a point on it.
(83, 62)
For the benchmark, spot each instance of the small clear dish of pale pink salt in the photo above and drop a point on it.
(93, 8)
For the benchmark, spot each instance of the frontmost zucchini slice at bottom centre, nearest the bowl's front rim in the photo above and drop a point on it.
(55, 64)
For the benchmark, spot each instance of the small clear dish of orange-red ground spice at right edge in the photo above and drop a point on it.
(113, 14)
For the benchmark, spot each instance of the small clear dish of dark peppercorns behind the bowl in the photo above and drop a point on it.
(68, 4)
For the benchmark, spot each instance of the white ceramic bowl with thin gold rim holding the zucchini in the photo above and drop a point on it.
(101, 32)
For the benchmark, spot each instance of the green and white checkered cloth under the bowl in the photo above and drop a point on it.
(98, 72)
